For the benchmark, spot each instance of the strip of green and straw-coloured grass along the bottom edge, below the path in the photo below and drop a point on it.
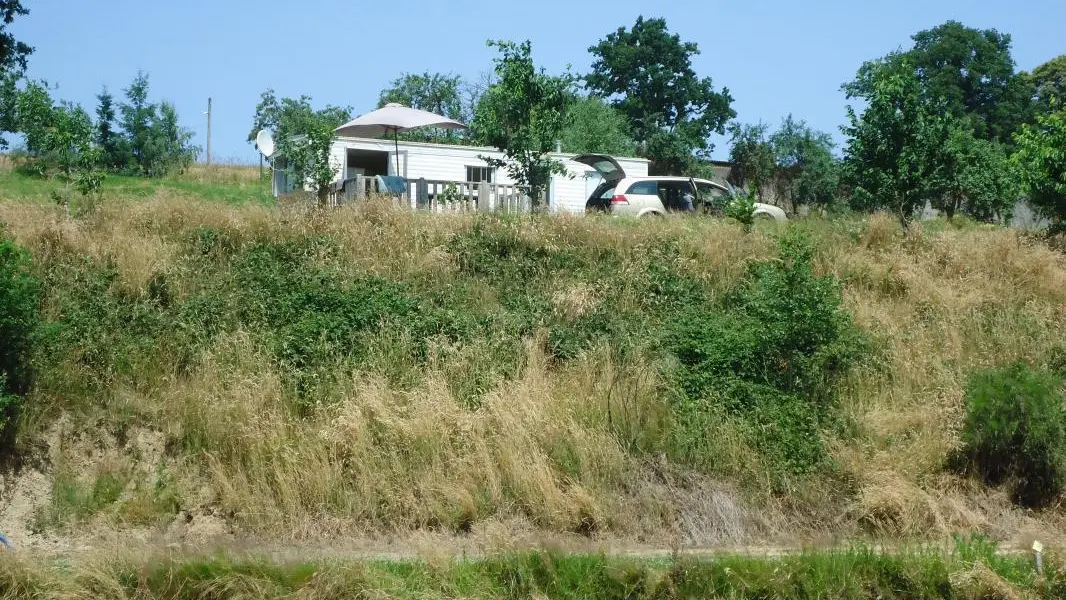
(973, 571)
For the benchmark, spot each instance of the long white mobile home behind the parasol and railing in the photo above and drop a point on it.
(460, 165)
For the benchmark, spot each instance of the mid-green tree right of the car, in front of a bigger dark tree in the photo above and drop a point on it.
(893, 159)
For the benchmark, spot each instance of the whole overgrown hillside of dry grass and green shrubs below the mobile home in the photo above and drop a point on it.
(287, 372)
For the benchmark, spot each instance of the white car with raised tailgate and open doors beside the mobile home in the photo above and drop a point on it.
(656, 197)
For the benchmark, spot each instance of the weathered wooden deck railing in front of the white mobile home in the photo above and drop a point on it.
(440, 197)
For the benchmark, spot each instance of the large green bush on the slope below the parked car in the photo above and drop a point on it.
(770, 354)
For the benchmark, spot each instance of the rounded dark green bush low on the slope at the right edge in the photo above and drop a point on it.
(1015, 431)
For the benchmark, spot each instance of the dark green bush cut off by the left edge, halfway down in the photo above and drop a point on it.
(20, 317)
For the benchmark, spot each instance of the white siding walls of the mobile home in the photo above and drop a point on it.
(449, 164)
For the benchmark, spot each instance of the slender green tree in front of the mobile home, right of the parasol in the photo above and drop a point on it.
(523, 116)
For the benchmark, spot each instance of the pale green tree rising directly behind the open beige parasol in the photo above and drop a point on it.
(433, 92)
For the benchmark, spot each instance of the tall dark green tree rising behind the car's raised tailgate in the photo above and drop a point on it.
(648, 74)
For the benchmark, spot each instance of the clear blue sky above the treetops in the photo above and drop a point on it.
(777, 57)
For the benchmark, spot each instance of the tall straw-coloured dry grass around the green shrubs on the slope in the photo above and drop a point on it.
(382, 458)
